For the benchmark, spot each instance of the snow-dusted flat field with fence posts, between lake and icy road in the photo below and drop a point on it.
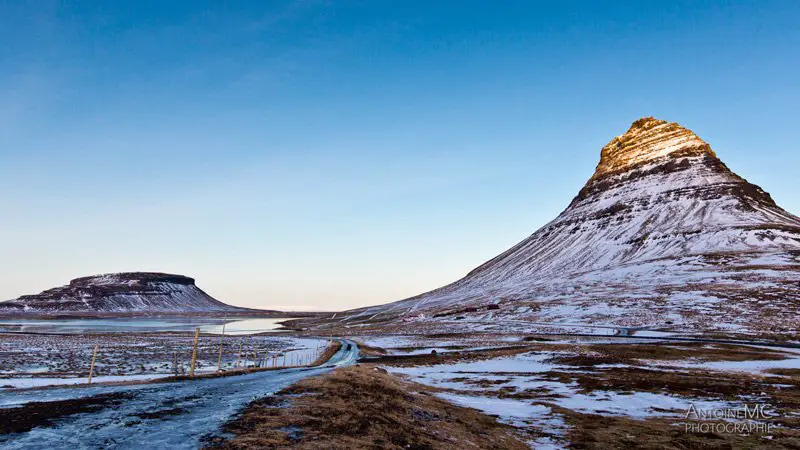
(45, 360)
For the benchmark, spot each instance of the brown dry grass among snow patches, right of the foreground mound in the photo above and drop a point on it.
(779, 390)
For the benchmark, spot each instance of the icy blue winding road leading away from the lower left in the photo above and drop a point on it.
(158, 415)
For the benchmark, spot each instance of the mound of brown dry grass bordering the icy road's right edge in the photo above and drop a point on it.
(363, 407)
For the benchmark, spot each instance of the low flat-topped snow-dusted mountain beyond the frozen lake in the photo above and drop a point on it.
(139, 292)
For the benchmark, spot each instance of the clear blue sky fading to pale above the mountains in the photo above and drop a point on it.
(333, 154)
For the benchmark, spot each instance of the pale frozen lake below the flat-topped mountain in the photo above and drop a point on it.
(238, 325)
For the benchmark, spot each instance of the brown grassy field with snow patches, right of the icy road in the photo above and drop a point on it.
(584, 395)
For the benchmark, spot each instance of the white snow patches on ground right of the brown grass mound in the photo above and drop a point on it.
(522, 391)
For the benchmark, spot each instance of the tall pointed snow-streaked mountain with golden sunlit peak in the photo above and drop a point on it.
(662, 233)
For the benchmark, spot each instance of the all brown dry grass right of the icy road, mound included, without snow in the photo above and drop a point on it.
(363, 408)
